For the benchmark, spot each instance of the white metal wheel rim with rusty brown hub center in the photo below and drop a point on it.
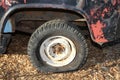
(57, 51)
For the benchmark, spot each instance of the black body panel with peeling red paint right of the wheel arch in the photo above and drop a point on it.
(104, 18)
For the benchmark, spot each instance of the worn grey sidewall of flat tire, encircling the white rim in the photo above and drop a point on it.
(74, 37)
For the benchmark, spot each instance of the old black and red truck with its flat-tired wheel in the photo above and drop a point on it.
(57, 43)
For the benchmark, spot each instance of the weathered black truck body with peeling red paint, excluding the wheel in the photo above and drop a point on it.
(102, 17)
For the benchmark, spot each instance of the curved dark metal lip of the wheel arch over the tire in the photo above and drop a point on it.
(22, 7)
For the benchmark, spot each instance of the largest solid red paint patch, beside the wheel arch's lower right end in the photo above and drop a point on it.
(97, 31)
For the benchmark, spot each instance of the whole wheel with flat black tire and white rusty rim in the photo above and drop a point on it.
(57, 46)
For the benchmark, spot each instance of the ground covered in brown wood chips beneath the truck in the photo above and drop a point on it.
(102, 63)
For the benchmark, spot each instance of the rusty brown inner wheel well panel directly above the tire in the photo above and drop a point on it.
(29, 21)
